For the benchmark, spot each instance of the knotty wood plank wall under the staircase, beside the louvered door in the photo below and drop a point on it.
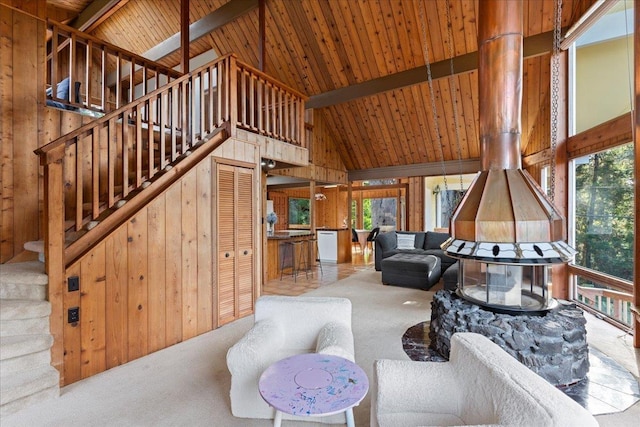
(150, 283)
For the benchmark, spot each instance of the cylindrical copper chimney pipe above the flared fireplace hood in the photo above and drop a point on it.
(500, 89)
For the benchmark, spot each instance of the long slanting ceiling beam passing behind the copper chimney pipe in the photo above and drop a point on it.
(532, 46)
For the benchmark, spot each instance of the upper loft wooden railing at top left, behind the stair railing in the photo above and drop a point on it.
(105, 80)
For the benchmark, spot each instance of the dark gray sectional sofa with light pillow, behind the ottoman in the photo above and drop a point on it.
(425, 243)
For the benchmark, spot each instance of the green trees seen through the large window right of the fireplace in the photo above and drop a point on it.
(604, 212)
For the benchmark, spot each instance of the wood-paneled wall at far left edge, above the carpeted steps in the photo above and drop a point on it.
(21, 104)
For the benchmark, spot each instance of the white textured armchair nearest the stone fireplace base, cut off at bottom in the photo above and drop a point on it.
(480, 385)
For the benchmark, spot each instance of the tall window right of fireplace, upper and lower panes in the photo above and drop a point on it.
(601, 197)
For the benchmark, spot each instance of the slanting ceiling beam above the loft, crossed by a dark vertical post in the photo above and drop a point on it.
(216, 19)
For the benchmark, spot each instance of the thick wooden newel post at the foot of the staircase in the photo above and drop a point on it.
(54, 249)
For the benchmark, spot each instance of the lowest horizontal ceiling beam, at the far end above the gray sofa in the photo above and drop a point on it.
(452, 167)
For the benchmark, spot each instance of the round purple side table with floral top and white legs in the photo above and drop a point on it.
(313, 385)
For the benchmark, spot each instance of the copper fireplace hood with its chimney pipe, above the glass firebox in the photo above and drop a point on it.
(504, 216)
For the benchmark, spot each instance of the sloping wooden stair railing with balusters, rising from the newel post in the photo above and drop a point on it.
(108, 159)
